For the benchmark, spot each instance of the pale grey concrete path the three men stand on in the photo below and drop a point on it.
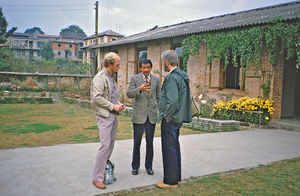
(67, 169)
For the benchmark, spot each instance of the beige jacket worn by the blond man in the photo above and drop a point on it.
(101, 94)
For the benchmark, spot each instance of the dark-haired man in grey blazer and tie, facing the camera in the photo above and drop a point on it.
(145, 89)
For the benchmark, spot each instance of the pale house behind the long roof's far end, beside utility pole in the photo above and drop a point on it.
(103, 37)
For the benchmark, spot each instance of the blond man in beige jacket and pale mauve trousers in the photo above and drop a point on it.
(104, 100)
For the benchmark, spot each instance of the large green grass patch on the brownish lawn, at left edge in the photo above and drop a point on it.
(28, 128)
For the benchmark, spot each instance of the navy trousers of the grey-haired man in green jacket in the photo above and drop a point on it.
(171, 151)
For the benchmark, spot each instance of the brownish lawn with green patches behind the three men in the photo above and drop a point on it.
(28, 125)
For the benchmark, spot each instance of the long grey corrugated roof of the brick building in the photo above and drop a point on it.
(259, 16)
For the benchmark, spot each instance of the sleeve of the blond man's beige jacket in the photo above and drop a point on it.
(97, 94)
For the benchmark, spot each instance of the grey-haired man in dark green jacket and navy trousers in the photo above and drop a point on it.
(175, 108)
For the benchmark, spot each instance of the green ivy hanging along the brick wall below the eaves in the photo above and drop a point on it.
(245, 45)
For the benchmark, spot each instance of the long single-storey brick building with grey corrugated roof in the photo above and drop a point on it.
(211, 80)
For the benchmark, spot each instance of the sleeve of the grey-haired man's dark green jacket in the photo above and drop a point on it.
(171, 98)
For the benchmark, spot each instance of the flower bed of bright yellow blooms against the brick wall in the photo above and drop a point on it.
(250, 110)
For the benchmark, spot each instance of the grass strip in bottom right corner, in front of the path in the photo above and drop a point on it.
(279, 178)
